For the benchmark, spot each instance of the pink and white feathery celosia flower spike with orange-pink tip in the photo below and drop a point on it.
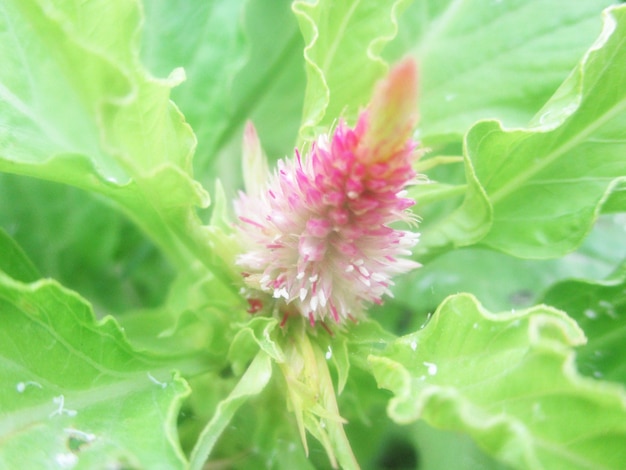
(318, 238)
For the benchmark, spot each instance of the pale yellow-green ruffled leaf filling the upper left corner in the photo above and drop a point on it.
(78, 108)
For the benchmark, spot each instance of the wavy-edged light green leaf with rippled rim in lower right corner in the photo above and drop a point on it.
(509, 381)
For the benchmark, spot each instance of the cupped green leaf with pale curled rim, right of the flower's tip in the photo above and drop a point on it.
(547, 183)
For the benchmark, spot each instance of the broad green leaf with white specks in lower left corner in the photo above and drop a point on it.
(75, 394)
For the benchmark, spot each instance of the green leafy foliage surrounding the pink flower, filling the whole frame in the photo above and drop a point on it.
(123, 340)
